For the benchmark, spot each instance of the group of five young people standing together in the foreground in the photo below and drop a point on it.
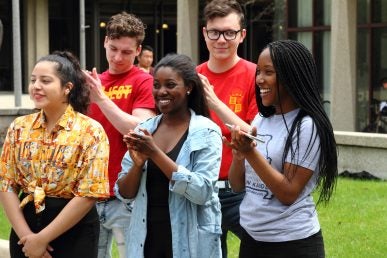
(151, 161)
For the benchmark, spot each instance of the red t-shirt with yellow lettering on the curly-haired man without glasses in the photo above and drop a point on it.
(128, 91)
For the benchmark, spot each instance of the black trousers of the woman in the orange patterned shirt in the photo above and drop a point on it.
(79, 241)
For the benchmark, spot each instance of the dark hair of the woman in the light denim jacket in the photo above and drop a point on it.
(184, 66)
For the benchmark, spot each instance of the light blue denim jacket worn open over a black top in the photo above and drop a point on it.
(193, 200)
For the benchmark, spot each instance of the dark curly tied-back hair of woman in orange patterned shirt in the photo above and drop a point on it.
(68, 70)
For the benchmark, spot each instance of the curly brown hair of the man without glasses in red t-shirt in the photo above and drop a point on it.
(126, 25)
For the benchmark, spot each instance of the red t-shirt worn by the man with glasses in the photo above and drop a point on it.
(236, 88)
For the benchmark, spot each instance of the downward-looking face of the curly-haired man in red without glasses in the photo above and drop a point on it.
(121, 53)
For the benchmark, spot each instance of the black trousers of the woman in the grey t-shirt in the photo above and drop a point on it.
(310, 247)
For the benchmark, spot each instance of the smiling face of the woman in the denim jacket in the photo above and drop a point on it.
(170, 92)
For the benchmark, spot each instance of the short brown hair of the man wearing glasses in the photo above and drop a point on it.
(222, 8)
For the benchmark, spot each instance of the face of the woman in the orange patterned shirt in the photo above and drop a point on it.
(45, 87)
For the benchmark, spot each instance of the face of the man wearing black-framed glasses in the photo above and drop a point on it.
(221, 48)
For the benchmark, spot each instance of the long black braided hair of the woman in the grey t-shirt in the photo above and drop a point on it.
(296, 72)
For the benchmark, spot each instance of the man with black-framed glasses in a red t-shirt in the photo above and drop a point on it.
(230, 89)
